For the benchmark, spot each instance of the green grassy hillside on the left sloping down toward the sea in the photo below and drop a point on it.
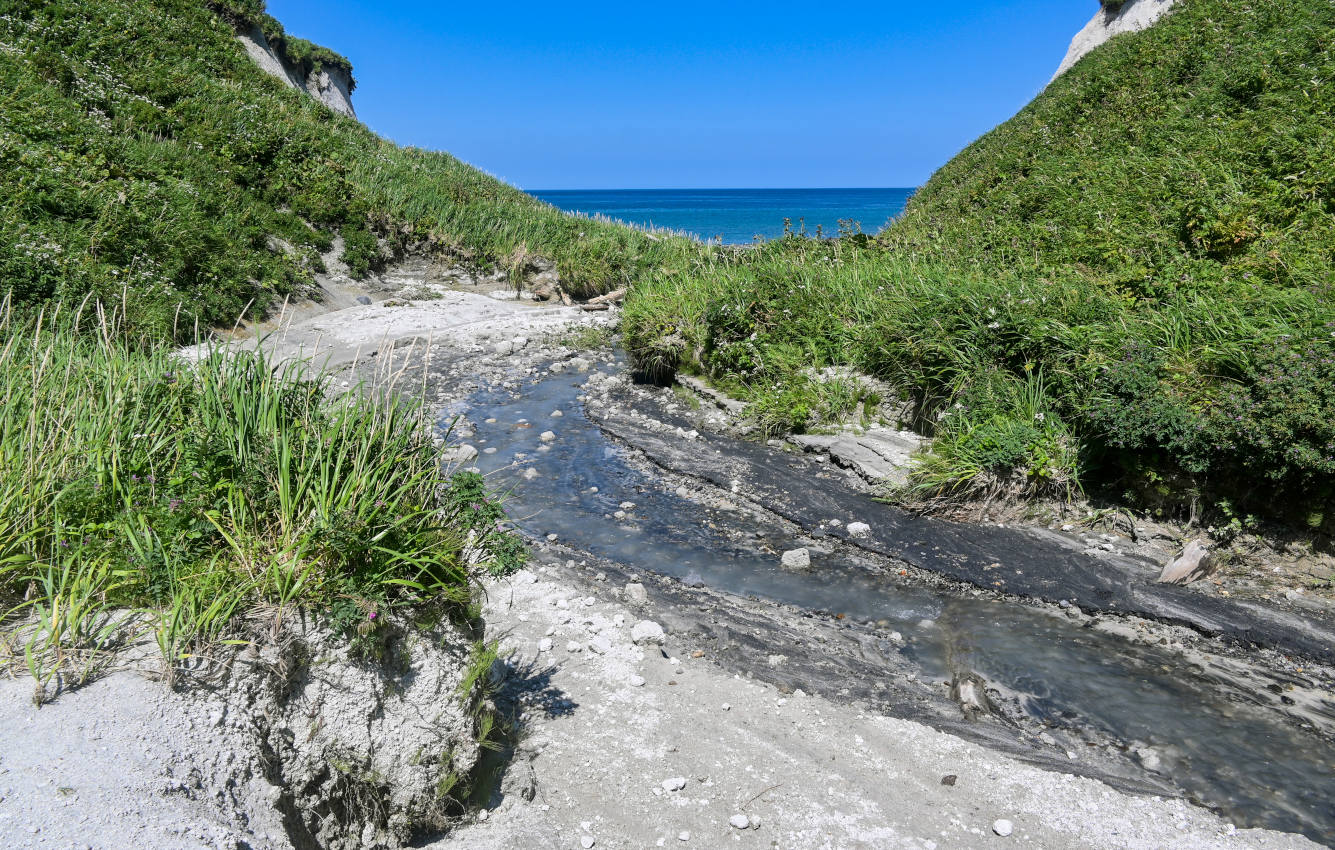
(144, 154)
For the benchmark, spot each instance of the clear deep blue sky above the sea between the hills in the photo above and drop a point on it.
(691, 95)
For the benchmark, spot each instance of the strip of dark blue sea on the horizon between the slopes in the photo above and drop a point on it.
(738, 217)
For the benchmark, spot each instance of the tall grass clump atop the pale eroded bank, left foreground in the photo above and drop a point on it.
(142, 490)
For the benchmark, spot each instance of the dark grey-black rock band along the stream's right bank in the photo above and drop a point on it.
(1009, 561)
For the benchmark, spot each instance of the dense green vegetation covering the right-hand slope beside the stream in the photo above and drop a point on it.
(1126, 284)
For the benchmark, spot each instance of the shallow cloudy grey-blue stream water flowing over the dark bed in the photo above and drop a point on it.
(1210, 736)
